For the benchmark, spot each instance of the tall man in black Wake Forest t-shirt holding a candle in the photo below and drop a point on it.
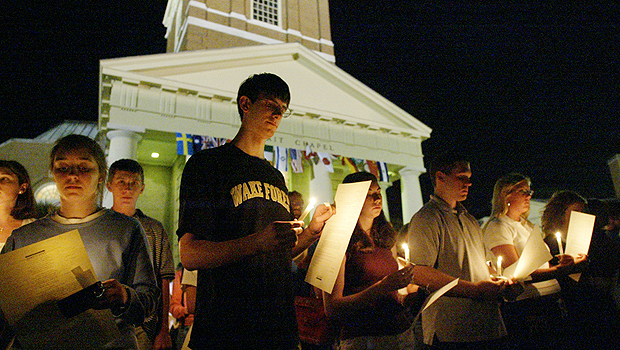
(236, 228)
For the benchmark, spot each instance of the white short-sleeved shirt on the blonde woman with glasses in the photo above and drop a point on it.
(504, 230)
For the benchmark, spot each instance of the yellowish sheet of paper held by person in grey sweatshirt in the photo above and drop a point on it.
(34, 278)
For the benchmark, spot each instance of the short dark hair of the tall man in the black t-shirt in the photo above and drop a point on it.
(263, 85)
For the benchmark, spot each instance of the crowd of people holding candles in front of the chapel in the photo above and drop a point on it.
(244, 254)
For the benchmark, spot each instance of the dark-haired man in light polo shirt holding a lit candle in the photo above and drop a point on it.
(446, 243)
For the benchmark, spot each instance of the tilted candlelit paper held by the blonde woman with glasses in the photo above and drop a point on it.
(534, 255)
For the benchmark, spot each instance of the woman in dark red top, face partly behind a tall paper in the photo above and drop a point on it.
(365, 302)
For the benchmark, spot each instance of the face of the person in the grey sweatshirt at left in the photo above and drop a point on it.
(77, 176)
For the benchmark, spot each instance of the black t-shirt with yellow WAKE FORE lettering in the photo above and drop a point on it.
(228, 194)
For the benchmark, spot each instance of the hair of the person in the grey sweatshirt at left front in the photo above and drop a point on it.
(75, 142)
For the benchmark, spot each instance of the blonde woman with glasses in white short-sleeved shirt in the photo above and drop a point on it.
(534, 320)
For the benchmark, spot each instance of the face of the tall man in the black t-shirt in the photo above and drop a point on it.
(263, 116)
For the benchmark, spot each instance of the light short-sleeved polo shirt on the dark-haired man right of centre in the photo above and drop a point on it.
(450, 240)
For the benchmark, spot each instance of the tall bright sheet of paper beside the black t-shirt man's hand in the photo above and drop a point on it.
(337, 232)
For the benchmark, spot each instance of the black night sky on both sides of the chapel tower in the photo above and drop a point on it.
(520, 87)
